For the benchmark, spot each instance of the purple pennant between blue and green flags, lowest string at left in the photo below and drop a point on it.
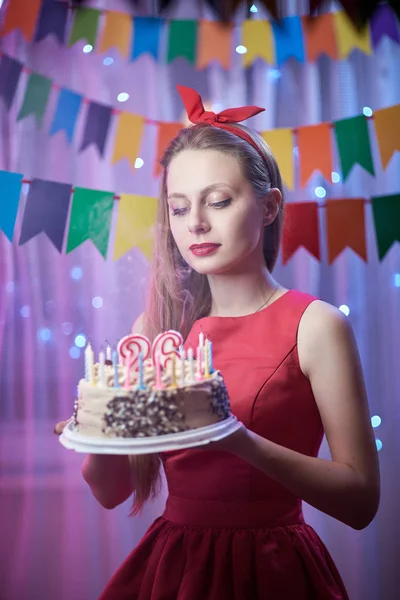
(46, 211)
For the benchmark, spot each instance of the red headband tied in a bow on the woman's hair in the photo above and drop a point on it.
(196, 114)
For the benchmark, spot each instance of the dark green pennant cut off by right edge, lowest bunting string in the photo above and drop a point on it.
(386, 211)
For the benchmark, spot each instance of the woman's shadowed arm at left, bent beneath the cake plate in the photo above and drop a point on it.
(110, 477)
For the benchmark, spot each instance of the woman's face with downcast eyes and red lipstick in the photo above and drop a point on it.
(215, 218)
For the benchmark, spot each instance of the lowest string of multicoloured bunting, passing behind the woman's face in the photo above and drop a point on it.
(69, 217)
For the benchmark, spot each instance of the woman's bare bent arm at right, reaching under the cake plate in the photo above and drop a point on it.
(346, 487)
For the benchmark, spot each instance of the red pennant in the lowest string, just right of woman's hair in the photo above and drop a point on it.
(300, 228)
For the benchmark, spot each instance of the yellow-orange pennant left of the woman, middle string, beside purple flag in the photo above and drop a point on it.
(128, 137)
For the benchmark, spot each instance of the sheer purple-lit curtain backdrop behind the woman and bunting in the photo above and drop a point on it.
(56, 541)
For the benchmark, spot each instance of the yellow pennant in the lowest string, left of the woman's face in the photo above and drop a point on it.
(135, 223)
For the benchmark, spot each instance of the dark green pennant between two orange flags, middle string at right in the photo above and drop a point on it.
(353, 144)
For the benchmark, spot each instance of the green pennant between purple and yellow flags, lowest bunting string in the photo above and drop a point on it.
(90, 219)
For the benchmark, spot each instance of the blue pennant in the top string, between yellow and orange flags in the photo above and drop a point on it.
(288, 36)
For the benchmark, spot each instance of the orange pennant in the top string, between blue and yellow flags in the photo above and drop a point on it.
(319, 37)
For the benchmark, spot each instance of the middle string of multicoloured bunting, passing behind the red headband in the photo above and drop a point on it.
(314, 144)
